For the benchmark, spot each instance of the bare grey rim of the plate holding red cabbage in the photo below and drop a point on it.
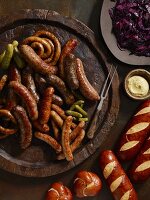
(111, 42)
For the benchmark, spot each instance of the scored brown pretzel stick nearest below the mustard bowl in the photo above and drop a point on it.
(135, 133)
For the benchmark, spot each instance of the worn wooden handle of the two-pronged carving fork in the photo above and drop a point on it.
(93, 125)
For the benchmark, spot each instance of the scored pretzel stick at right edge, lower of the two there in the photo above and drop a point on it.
(140, 169)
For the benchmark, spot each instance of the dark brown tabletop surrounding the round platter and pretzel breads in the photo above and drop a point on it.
(19, 188)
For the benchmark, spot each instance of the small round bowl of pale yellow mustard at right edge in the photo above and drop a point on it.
(137, 84)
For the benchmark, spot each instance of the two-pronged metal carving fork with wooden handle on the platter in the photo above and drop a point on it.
(104, 93)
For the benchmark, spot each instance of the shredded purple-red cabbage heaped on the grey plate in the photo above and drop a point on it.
(131, 25)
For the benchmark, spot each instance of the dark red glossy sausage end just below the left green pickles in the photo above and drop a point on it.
(14, 74)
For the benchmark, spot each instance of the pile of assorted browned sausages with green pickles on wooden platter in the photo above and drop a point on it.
(40, 81)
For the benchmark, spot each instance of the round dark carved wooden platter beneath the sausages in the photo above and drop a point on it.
(38, 160)
